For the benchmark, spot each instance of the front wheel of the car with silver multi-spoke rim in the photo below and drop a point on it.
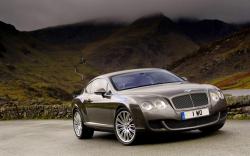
(125, 129)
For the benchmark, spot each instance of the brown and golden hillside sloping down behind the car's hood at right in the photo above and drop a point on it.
(226, 62)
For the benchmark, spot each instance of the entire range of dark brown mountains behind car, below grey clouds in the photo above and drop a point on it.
(45, 64)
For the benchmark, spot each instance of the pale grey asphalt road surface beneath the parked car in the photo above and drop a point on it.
(56, 137)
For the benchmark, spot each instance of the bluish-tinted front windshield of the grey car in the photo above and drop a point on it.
(143, 78)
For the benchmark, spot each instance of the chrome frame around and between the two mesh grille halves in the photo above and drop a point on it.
(193, 91)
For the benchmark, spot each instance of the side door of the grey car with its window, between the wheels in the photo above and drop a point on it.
(98, 107)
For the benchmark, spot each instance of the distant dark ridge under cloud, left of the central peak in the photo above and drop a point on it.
(83, 32)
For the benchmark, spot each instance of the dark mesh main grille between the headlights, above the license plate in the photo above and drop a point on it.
(190, 100)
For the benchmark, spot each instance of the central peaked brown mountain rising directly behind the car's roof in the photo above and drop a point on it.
(149, 41)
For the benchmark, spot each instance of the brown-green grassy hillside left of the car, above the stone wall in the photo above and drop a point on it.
(43, 76)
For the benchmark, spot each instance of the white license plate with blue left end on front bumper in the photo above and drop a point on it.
(194, 113)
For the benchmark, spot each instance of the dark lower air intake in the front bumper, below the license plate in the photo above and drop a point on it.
(177, 124)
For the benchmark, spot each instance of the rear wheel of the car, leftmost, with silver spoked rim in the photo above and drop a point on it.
(81, 131)
